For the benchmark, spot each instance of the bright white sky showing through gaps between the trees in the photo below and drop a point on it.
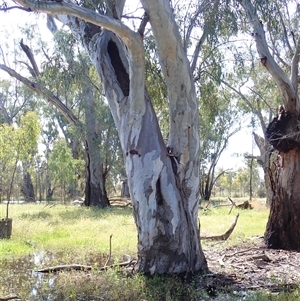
(240, 143)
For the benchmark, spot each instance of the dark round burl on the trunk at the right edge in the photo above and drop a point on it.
(283, 132)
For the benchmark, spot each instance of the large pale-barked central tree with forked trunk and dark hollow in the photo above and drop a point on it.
(164, 192)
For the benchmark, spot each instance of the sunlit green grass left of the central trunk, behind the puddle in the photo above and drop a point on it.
(69, 228)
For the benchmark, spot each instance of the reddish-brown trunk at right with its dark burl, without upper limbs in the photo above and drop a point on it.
(283, 228)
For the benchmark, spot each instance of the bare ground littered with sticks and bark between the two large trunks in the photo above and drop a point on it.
(251, 266)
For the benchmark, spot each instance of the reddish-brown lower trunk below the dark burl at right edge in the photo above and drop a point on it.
(283, 228)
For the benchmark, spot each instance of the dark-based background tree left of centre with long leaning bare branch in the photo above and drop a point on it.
(69, 74)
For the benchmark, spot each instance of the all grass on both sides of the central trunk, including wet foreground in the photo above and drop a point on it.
(45, 236)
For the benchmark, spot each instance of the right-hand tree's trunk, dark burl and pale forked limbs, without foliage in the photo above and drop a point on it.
(283, 228)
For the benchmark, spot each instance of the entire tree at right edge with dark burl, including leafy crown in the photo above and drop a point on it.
(274, 29)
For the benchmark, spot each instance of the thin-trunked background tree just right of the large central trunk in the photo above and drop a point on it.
(219, 122)
